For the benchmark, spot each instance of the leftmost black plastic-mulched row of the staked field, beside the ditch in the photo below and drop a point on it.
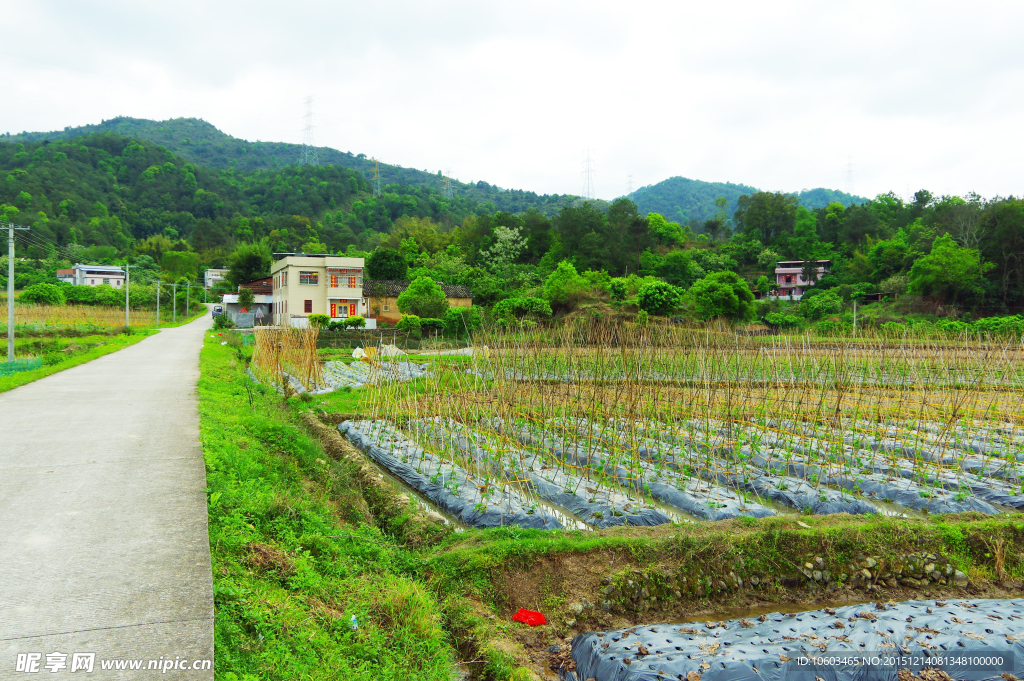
(448, 486)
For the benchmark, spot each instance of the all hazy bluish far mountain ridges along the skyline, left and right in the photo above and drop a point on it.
(198, 142)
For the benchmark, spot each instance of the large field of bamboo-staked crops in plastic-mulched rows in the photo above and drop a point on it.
(635, 433)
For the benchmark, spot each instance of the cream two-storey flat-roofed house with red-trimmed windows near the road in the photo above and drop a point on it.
(306, 285)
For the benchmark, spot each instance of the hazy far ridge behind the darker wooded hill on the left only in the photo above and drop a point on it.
(200, 143)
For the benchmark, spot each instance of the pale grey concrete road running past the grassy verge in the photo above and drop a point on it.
(104, 544)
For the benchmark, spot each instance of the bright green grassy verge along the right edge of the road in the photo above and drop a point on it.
(297, 552)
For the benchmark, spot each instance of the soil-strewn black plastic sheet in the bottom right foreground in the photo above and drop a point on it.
(970, 641)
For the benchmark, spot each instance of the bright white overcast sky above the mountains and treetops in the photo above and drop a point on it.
(778, 95)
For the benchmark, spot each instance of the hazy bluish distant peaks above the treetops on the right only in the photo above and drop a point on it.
(684, 200)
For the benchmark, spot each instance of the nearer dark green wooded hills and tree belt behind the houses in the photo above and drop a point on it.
(108, 197)
